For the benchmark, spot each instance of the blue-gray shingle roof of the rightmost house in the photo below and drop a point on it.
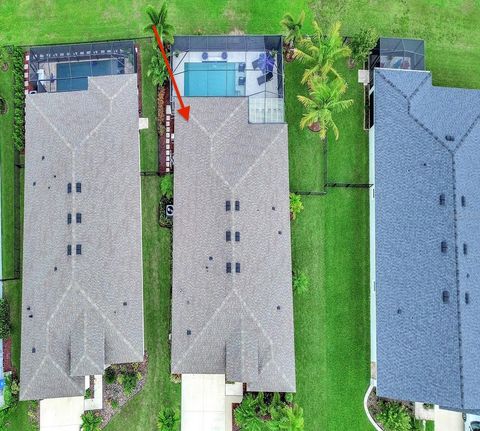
(427, 348)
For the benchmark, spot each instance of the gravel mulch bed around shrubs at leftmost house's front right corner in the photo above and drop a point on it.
(115, 391)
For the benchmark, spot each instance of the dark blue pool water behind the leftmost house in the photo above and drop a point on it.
(79, 72)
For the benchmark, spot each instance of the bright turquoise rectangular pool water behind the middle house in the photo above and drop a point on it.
(210, 79)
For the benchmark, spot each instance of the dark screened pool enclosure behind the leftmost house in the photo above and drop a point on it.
(67, 67)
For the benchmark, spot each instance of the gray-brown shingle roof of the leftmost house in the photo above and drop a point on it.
(79, 322)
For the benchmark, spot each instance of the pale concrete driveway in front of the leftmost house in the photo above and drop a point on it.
(61, 414)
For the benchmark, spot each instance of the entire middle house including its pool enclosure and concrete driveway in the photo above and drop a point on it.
(232, 313)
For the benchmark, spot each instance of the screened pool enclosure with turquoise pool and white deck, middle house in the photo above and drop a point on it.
(233, 66)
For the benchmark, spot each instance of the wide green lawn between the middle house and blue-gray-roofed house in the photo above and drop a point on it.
(330, 244)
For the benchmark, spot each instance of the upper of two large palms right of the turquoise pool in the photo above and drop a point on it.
(320, 52)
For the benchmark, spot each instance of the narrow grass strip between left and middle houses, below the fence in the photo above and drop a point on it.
(141, 412)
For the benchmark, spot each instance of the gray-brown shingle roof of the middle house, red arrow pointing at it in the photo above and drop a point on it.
(240, 324)
